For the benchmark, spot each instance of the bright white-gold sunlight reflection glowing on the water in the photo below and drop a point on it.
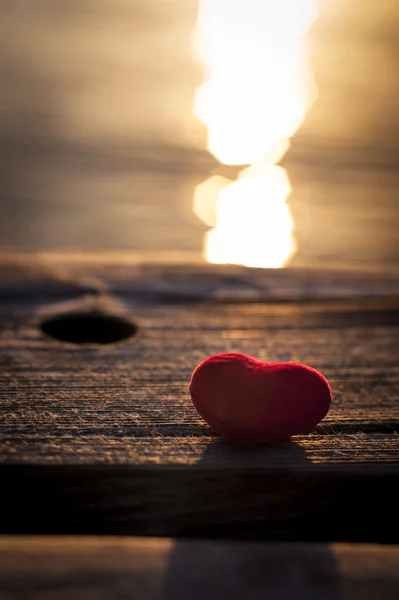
(258, 92)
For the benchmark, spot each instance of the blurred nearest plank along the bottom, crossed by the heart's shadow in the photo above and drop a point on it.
(165, 569)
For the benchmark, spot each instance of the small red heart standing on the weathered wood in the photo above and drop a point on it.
(254, 402)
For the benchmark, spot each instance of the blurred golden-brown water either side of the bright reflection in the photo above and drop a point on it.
(100, 149)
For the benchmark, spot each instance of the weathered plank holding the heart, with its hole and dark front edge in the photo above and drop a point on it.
(105, 439)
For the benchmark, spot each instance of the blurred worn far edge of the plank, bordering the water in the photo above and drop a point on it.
(73, 274)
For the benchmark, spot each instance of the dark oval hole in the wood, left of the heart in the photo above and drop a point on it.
(89, 328)
